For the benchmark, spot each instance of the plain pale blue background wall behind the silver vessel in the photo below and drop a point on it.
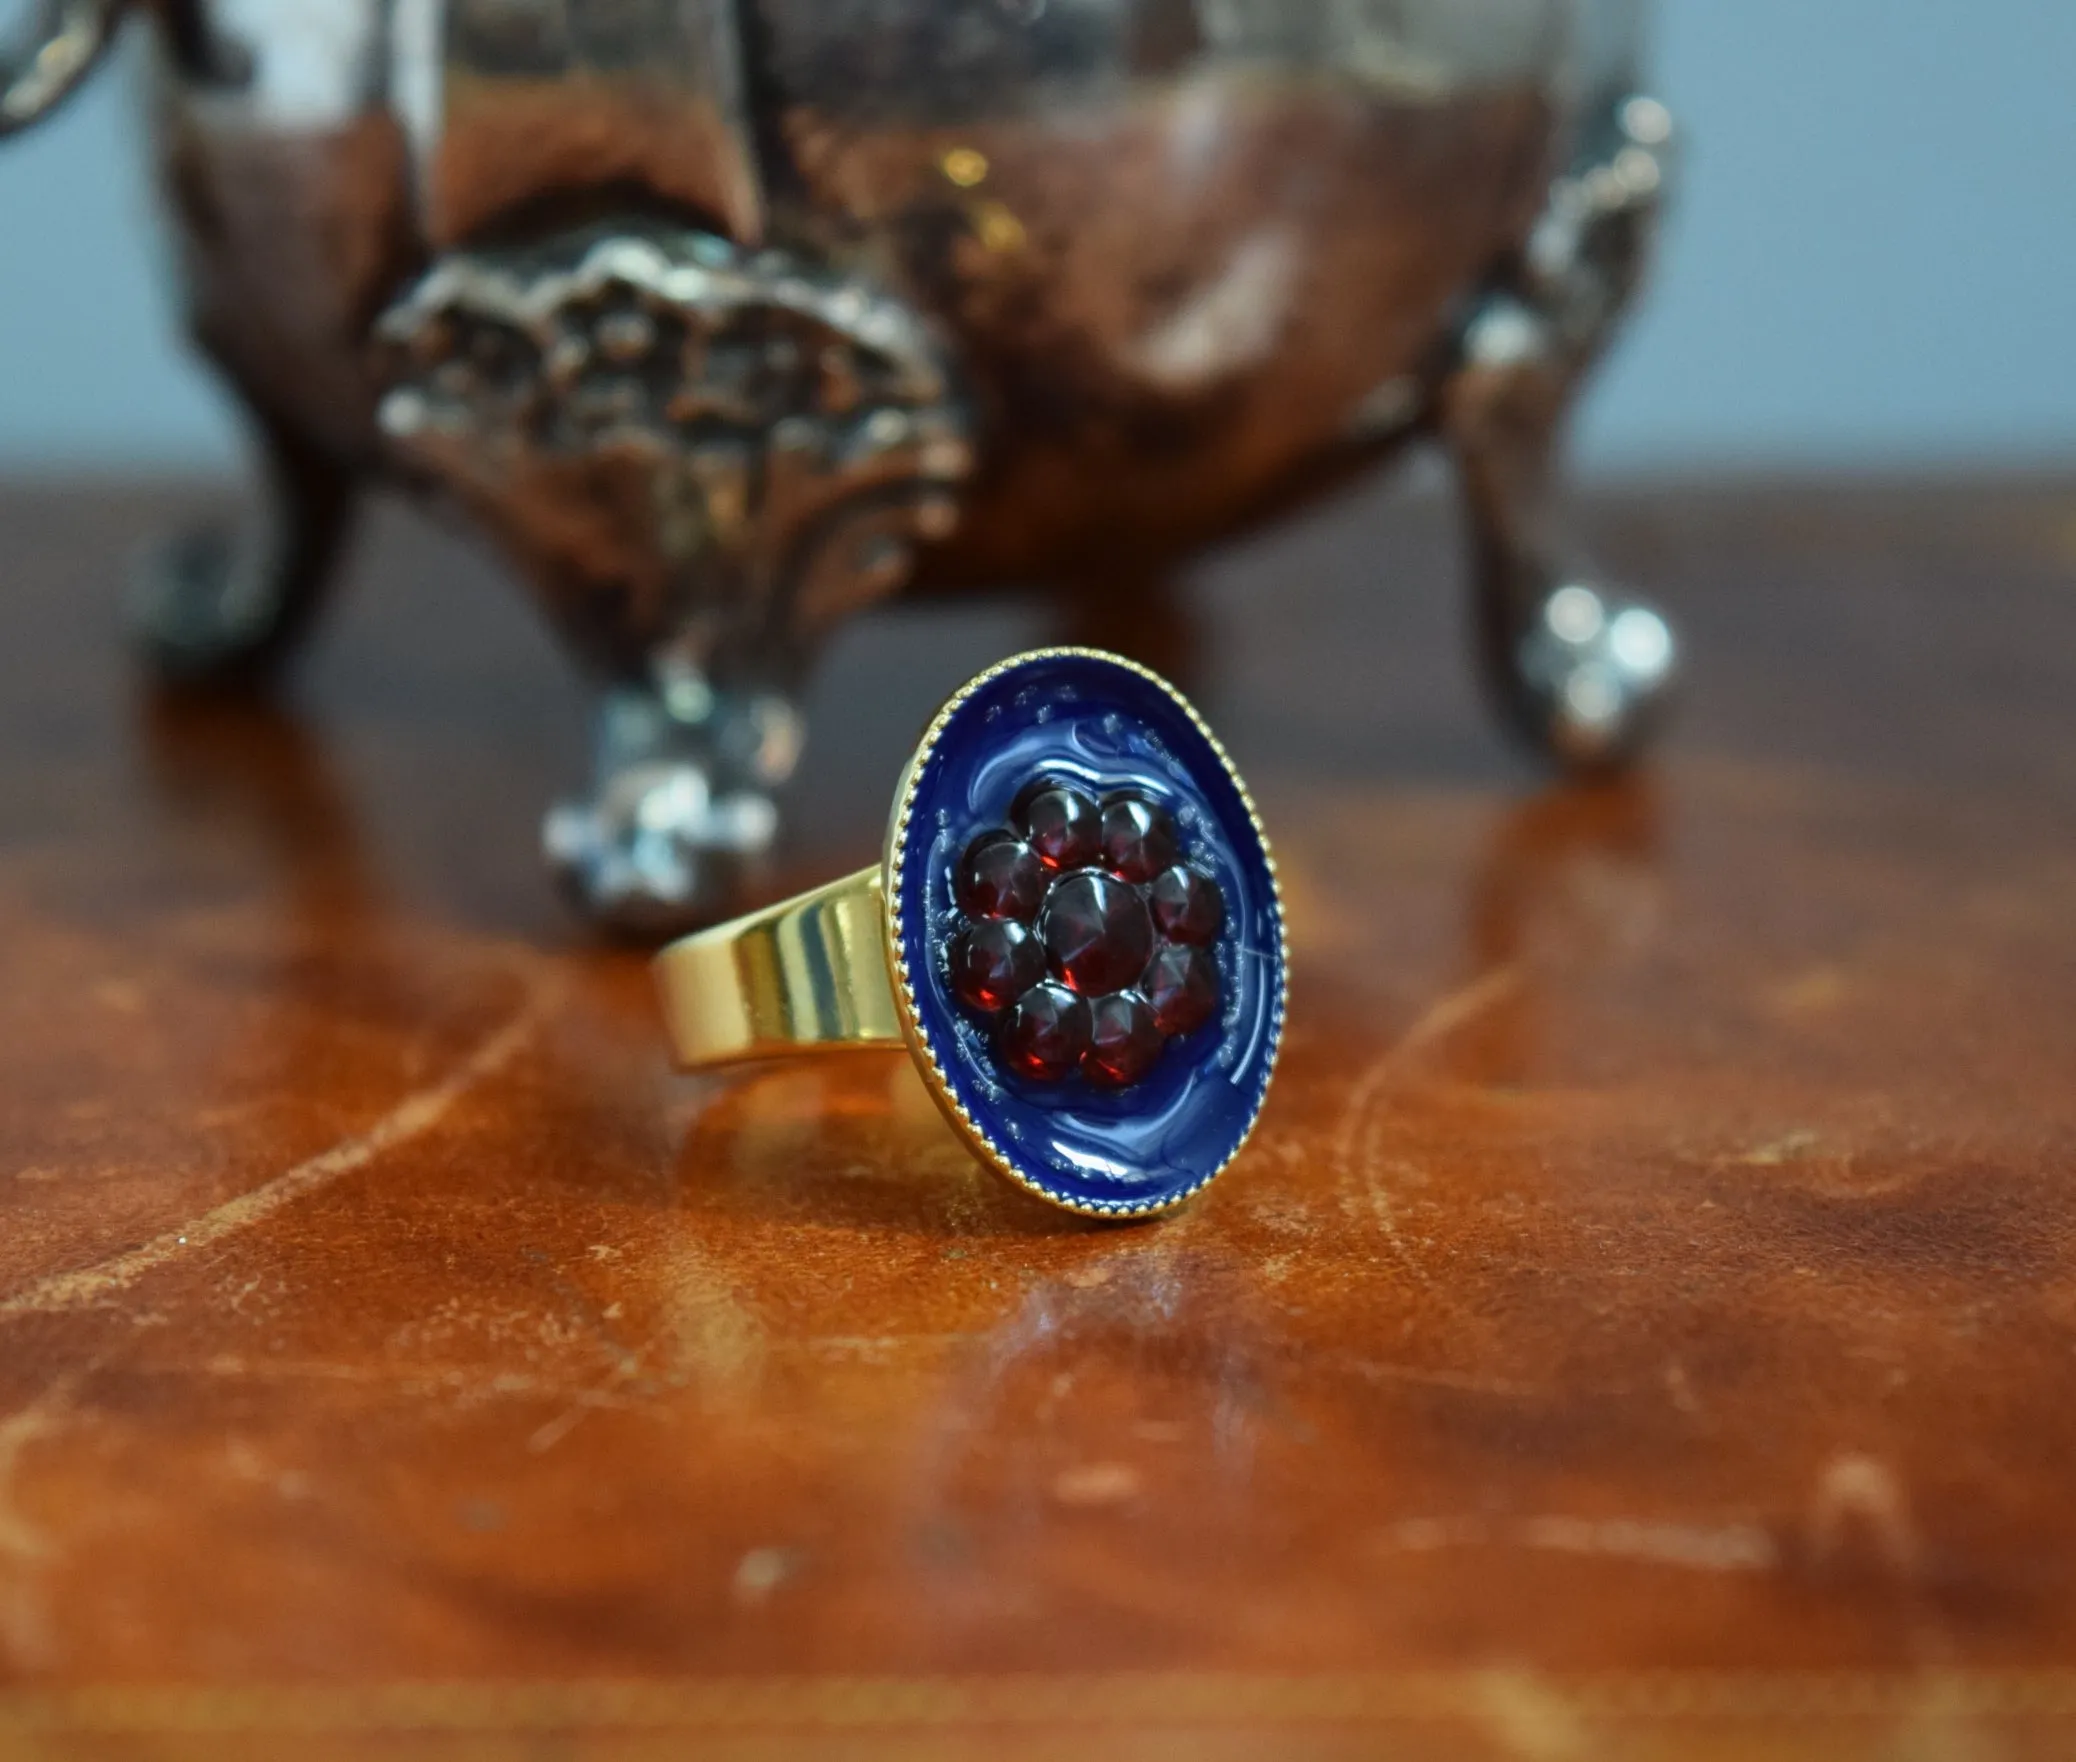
(1874, 256)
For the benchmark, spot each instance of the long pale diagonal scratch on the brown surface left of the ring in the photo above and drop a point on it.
(412, 1118)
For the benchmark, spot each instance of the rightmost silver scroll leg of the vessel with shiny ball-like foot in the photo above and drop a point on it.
(1579, 669)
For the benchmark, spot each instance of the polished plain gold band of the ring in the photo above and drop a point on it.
(800, 976)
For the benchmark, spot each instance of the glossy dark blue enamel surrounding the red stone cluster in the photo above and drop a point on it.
(1097, 725)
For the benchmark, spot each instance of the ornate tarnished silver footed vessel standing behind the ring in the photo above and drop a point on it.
(726, 319)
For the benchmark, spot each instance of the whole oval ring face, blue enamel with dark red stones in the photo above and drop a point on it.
(1085, 933)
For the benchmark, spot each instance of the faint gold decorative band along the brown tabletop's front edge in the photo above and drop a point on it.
(1066, 1703)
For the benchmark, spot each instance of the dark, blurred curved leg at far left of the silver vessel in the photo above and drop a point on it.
(225, 603)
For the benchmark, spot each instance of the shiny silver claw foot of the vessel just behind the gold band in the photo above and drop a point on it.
(680, 819)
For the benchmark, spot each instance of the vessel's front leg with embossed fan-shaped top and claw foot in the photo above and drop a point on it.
(717, 445)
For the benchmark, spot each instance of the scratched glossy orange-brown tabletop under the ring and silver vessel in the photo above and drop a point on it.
(1645, 1323)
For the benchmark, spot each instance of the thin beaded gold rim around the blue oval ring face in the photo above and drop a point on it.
(898, 970)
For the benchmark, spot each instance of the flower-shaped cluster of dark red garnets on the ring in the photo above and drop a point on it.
(1085, 941)
